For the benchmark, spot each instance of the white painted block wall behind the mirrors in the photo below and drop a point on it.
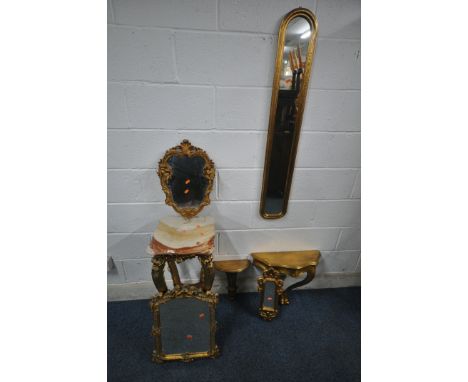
(202, 70)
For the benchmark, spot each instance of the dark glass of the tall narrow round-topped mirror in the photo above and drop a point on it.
(284, 133)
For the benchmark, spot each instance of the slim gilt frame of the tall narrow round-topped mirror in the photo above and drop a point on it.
(299, 103)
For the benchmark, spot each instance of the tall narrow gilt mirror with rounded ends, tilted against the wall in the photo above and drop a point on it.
(296, 47)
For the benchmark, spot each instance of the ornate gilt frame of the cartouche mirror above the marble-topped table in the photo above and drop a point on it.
(185, 149)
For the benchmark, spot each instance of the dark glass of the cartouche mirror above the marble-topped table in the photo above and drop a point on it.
(187, 184)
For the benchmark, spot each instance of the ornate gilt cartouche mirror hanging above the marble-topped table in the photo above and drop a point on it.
(186, 173)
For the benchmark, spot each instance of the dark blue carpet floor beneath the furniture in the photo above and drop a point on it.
(315, 338)
